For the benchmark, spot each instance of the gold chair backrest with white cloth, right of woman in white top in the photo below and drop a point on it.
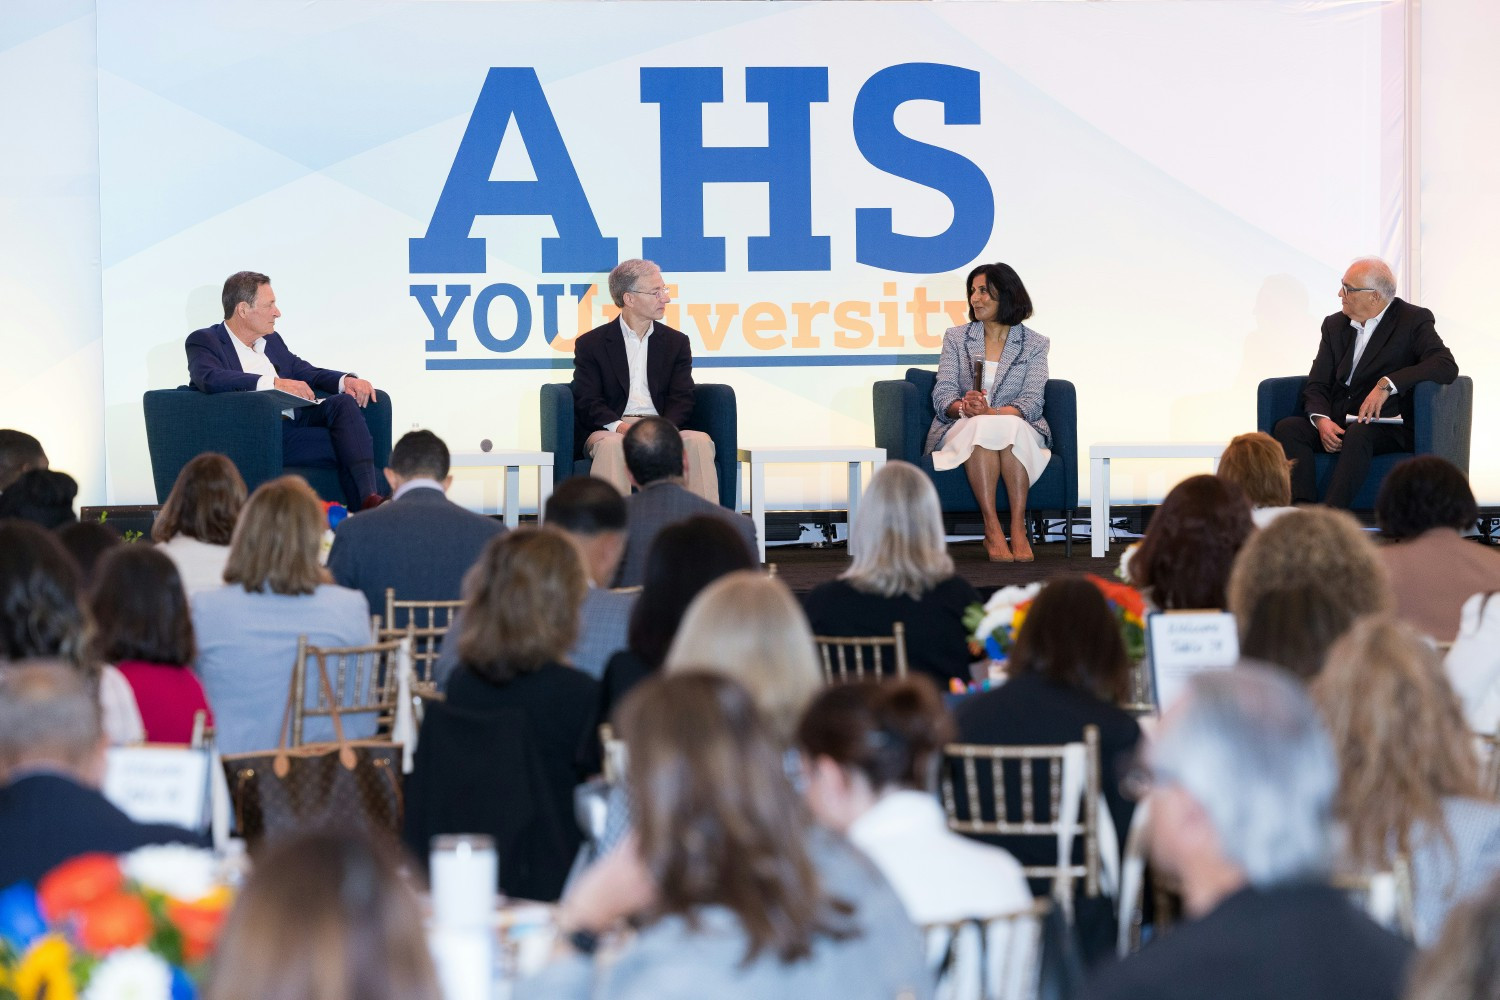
(1070, 810)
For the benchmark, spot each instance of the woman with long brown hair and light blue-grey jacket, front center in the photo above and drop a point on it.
(734, 893)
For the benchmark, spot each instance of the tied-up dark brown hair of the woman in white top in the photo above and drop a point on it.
(892, 734)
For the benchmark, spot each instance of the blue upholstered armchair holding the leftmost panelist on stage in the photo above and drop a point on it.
(184, 424)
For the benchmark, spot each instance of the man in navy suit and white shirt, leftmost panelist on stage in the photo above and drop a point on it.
(245, 355)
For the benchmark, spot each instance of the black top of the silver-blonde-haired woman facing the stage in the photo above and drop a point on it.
(937, 641)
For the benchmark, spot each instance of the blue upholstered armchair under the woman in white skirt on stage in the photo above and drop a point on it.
(904, 412)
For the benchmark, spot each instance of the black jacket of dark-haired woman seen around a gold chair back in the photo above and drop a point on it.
(1033, 710)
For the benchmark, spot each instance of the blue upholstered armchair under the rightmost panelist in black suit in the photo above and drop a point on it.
(1442, 418)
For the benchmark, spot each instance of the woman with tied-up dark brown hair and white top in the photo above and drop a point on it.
(872, 755)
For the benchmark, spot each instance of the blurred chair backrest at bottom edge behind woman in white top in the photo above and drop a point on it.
(988, 957)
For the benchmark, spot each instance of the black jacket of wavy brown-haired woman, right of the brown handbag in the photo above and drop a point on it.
(503, 759)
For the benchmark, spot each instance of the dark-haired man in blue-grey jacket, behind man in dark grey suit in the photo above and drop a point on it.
(593, 515)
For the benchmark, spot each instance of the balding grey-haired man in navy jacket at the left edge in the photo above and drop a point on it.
(52, 759)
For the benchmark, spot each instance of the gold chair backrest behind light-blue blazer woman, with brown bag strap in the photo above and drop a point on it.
(364, 680)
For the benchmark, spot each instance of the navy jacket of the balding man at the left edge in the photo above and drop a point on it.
(47, 819)
